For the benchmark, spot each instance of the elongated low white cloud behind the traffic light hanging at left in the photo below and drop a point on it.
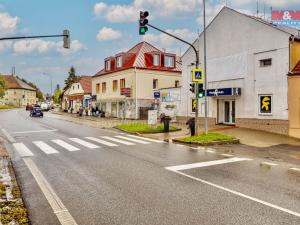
(41, 46)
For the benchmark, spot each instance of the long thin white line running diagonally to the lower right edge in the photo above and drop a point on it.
(240, 194)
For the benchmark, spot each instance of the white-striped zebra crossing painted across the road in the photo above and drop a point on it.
(78, 144)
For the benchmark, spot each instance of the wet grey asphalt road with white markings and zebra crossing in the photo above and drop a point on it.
(69, 179)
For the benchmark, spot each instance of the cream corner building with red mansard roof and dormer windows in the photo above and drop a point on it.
(124, 88)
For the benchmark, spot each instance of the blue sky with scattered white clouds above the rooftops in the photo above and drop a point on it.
(100, 29)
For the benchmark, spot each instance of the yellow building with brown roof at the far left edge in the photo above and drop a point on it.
(18, 92)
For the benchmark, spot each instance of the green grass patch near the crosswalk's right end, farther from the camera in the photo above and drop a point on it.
(144, 128)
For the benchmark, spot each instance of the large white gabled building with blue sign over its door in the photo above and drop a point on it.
(248, 60)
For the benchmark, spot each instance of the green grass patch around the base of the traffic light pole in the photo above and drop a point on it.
(203, 138)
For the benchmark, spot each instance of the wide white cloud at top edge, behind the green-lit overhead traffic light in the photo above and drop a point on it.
(117, 13)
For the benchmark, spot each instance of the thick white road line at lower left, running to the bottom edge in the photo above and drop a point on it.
(63, 215)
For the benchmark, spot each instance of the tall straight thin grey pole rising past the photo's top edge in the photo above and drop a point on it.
(205, 78)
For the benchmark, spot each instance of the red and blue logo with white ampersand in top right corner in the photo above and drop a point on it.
(286, 18)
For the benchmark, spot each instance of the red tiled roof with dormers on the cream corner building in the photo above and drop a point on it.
(136, 58)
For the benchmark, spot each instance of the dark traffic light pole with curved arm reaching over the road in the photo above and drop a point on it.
(197, 66)
